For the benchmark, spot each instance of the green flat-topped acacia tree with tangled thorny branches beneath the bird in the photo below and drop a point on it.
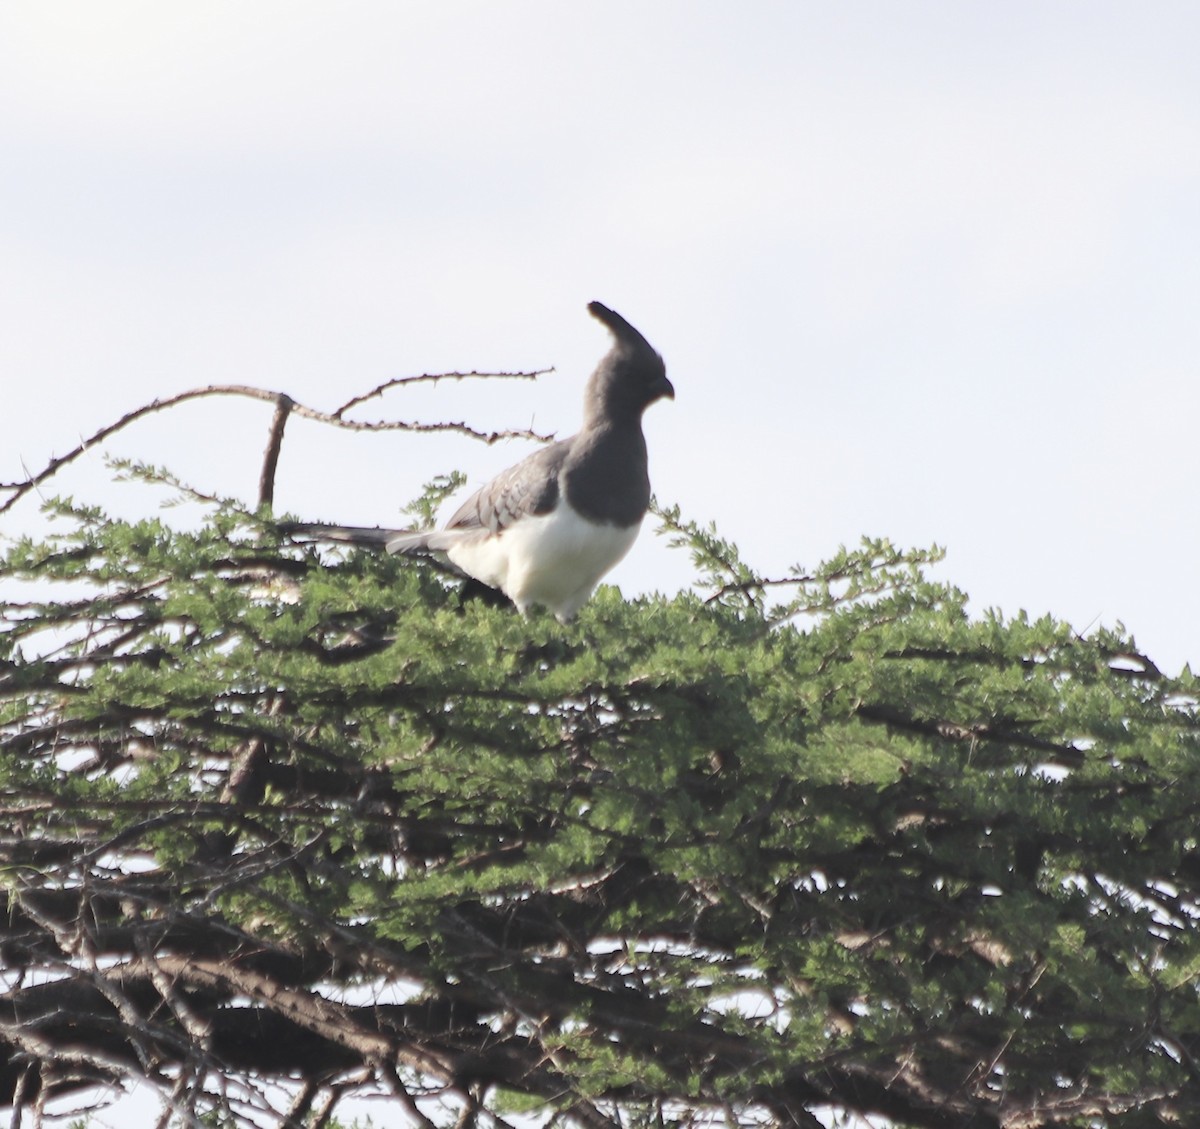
(289, 822)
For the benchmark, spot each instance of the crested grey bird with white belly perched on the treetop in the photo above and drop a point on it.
(548, 530)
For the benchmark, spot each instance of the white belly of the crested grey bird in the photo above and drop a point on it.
(554, 560)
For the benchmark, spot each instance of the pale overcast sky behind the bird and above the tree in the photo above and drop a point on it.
(920, 271)
